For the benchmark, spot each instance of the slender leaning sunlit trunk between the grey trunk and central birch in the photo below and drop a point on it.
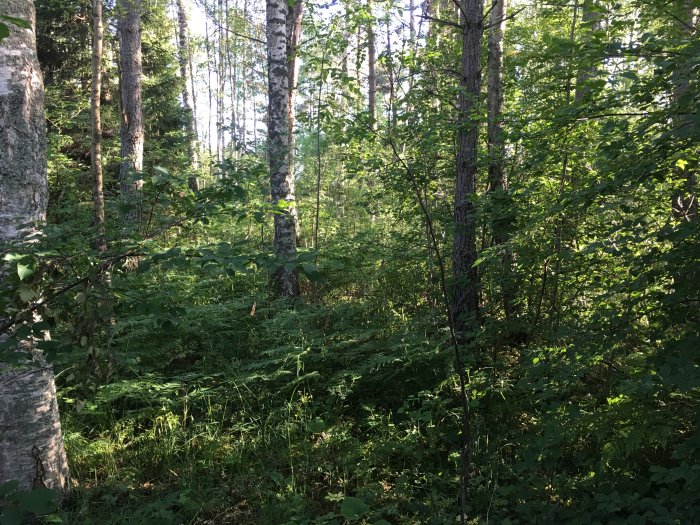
(185, 62)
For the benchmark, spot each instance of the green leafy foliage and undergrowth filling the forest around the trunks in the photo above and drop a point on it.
(191, 394)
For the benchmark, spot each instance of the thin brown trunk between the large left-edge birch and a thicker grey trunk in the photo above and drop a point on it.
(96, 156)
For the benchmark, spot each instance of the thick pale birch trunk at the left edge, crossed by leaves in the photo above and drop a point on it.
(31, 445)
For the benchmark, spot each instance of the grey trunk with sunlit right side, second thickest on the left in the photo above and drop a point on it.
(132, 130)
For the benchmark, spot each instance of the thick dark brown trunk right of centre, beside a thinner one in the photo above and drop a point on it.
(465, 304)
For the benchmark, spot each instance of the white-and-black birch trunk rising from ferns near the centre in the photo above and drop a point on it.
(281, 180)
